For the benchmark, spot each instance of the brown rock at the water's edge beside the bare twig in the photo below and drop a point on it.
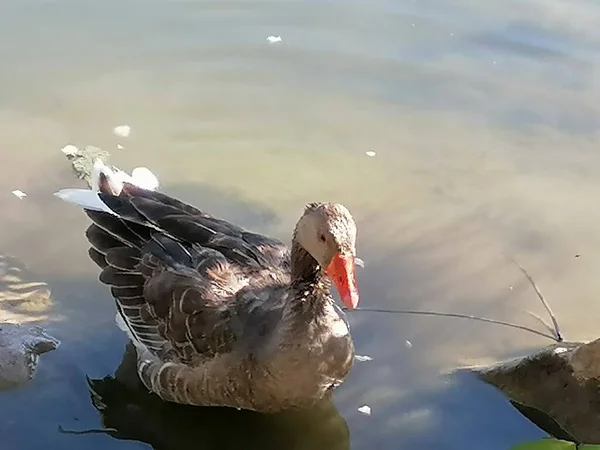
(561, 381)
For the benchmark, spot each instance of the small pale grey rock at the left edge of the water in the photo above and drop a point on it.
(20, 348)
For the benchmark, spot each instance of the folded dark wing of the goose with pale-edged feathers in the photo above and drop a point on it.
(183, 281)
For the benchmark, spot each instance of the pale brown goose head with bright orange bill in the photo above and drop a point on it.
(328, 233)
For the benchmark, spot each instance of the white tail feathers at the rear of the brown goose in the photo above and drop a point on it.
(107, 180)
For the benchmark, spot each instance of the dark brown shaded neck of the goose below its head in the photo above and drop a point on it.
(309, 287)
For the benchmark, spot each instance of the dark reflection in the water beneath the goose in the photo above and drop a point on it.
(129, 412)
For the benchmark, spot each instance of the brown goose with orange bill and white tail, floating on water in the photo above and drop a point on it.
(219, 315)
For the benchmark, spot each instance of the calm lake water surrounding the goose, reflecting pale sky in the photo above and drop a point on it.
(484, 122)
